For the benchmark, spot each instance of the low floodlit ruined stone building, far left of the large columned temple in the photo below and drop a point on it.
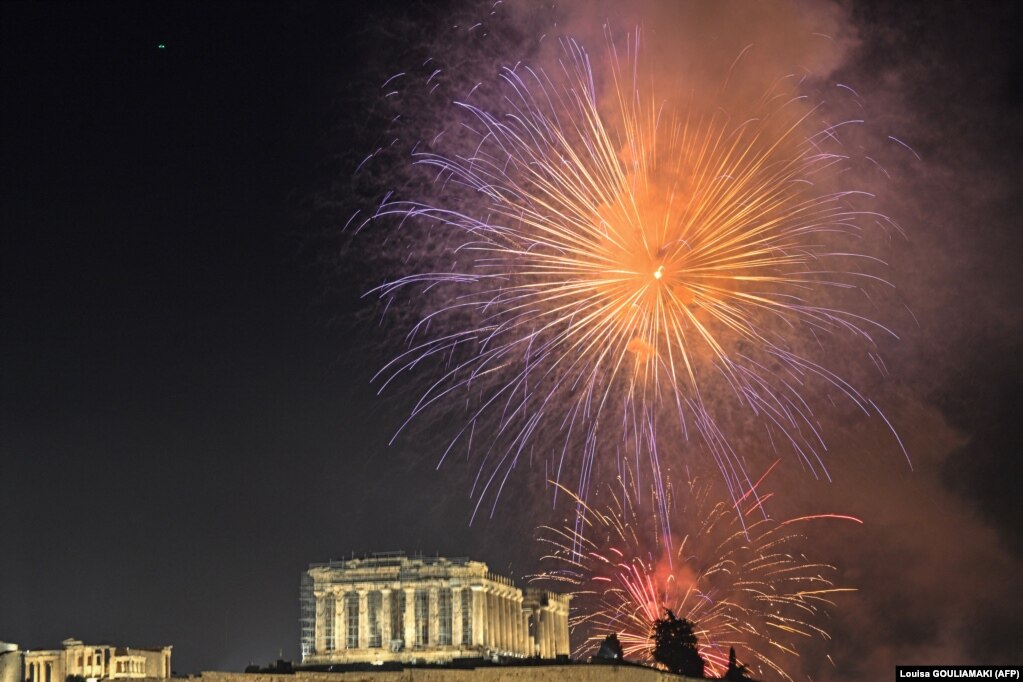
(96, 662)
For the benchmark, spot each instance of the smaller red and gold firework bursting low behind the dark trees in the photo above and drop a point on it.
(734, 573)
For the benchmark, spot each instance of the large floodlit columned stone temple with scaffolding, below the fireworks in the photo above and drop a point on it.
(425, 610)
